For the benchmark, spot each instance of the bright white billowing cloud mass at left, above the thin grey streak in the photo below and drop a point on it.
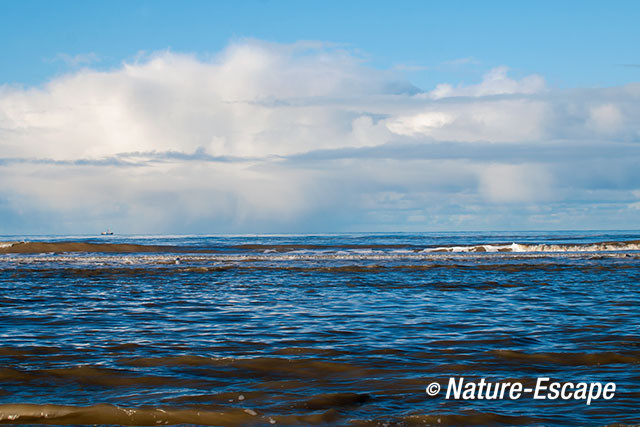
(254, 99)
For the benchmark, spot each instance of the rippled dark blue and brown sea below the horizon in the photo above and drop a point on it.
(316, 329)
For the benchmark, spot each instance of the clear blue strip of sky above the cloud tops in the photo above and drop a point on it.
(571, 43)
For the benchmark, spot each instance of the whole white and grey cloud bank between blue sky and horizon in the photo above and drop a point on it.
(306, 137)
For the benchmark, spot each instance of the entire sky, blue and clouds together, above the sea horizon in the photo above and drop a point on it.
(208, 117)
